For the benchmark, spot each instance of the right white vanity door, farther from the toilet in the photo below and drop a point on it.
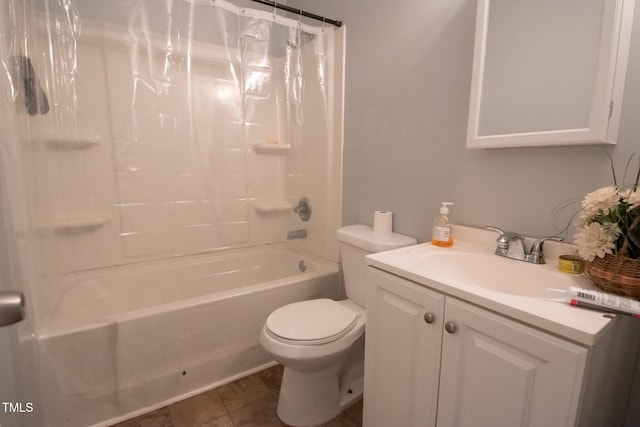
(498, 372)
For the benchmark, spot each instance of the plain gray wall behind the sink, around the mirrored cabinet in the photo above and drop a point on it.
(407, 88)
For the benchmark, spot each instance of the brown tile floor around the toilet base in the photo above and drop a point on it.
(250, 401)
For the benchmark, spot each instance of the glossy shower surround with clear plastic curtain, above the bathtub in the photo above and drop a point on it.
(140, 130)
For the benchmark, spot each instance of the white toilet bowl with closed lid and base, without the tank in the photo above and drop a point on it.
(313, 358)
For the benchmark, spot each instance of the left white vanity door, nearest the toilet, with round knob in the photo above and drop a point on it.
(402, 356)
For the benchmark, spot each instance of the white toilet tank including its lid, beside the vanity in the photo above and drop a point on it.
(356, 242)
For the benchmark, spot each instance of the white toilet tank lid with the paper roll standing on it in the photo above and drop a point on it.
(363, 236)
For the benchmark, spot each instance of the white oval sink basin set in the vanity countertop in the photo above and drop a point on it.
(498, 274)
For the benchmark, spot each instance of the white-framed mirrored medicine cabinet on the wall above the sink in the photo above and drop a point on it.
(548, 72)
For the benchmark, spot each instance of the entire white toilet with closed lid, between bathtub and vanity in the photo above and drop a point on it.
(321, 342)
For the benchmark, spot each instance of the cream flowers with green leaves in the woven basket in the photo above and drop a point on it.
(609, 223)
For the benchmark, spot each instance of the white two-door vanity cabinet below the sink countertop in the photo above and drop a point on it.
(435, 360)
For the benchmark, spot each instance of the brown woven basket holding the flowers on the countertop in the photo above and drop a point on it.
(616, 274)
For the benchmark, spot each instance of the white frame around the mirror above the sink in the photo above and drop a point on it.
(607, 100)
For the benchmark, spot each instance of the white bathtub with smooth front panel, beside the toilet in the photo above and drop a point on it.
(126, 340)
